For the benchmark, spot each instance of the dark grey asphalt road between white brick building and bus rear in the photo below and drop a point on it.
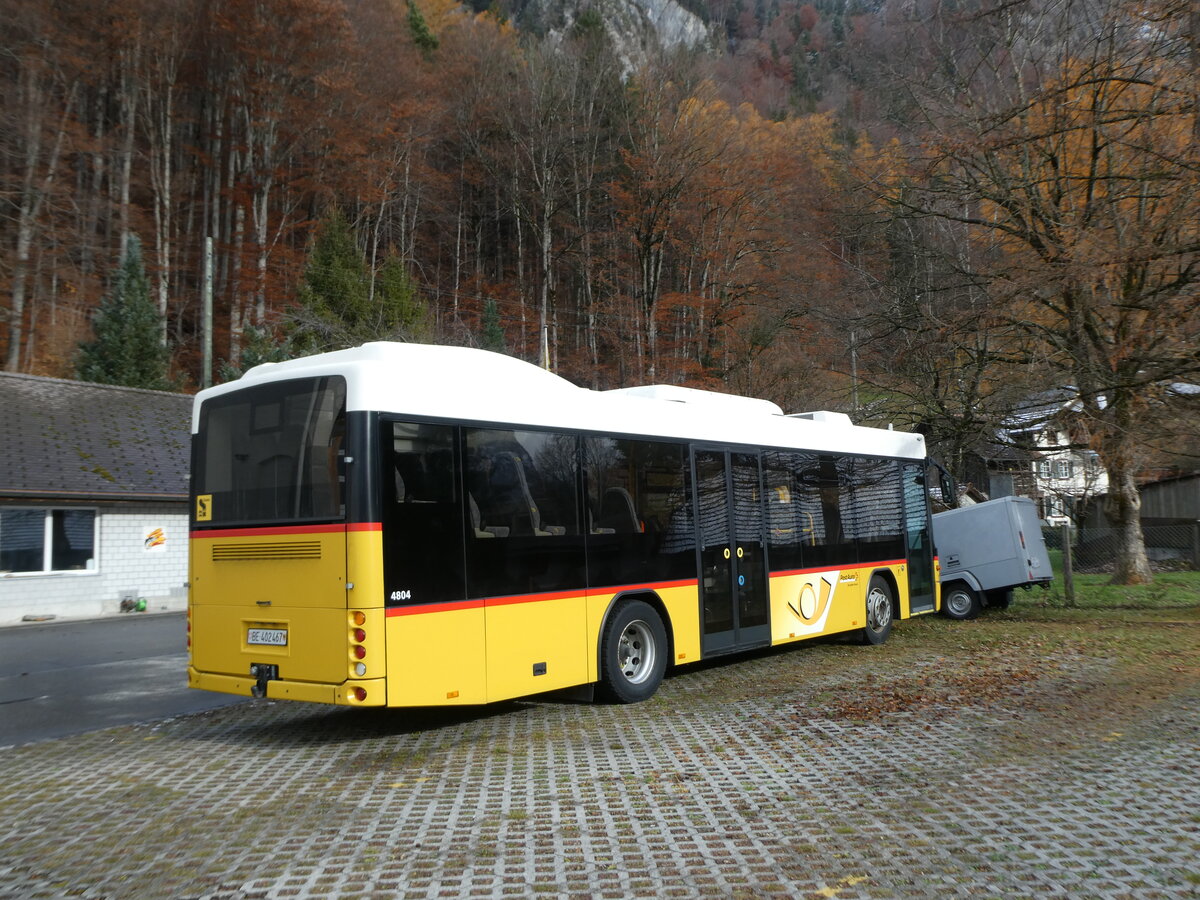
(73, 677)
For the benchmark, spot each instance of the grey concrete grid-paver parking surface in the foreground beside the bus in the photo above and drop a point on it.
(724, 785)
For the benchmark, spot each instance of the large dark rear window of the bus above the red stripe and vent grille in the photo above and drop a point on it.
(273, 454)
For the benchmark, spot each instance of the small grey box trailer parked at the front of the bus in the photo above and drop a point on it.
(986, 551)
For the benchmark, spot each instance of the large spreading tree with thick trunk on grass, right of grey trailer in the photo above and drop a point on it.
(1061, 135)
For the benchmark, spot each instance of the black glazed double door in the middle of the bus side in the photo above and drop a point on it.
(735, 610)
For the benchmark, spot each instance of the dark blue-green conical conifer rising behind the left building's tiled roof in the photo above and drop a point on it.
(128, 349)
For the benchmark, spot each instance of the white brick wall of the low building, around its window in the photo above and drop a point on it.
(123, 563)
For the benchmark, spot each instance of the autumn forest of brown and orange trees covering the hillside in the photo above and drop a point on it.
(917, 212)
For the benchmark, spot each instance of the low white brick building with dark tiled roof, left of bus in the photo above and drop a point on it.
(93, 497)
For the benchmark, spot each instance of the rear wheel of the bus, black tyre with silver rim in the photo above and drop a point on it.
(633, 653)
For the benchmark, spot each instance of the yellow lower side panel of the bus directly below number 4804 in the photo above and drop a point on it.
(436, 658)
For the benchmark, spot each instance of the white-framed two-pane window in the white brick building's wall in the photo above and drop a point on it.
(47, 541)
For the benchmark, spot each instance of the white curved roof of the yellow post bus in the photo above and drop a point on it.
(481, 387)
